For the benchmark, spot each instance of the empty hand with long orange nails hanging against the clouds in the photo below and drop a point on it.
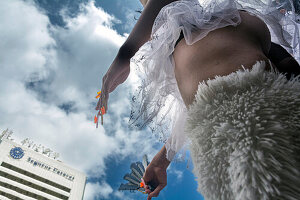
(116, 74)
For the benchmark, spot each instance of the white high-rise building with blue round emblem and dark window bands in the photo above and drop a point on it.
(27, 174)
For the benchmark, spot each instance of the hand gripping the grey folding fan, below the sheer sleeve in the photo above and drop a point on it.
(156, 176)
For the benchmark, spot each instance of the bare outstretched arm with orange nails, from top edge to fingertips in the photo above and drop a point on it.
(120, 69)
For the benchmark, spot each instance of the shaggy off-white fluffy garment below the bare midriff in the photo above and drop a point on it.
(245, 136)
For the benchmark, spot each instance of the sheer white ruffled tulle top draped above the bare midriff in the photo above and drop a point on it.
(157, 102)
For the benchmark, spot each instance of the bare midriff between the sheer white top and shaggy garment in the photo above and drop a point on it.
(221, 52)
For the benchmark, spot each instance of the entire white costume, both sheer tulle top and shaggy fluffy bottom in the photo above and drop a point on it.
(227, 160)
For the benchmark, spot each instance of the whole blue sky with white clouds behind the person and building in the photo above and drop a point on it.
(53, 55)
